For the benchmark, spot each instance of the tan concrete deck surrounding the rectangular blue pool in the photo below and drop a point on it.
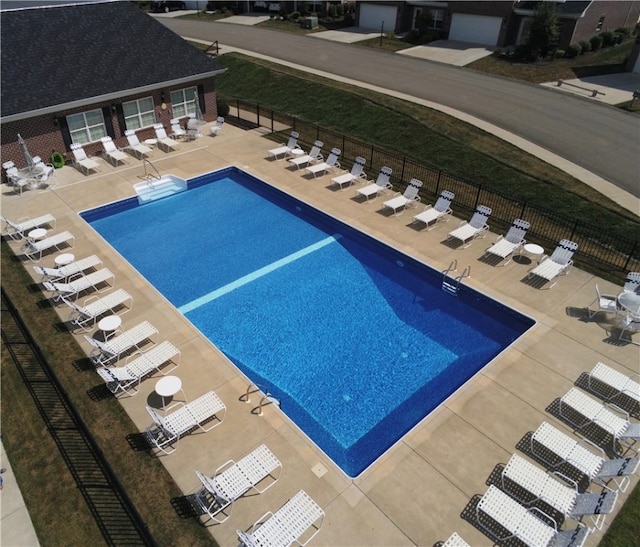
(416, 492)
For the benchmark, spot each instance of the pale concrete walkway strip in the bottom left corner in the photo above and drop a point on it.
(17, 529)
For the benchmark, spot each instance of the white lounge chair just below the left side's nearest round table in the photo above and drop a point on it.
(165, 431)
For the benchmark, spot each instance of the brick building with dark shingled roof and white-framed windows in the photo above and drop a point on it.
(73, 73)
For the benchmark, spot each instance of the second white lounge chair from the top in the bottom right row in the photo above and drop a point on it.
(604, 416)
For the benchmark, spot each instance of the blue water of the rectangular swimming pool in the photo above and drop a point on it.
(356, 340)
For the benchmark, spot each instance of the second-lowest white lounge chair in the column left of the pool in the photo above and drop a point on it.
(257, 472)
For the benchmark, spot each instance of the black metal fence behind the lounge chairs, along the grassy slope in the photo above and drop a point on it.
(595, 246)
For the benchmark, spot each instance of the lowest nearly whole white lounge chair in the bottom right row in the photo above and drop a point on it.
(527, 525)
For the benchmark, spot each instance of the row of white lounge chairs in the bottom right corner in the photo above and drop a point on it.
(526, 493)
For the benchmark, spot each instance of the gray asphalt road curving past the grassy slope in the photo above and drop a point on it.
(600, 138)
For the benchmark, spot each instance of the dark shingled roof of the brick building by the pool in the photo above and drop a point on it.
(60, 55)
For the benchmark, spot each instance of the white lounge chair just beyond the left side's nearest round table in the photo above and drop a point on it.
(125, 379)
